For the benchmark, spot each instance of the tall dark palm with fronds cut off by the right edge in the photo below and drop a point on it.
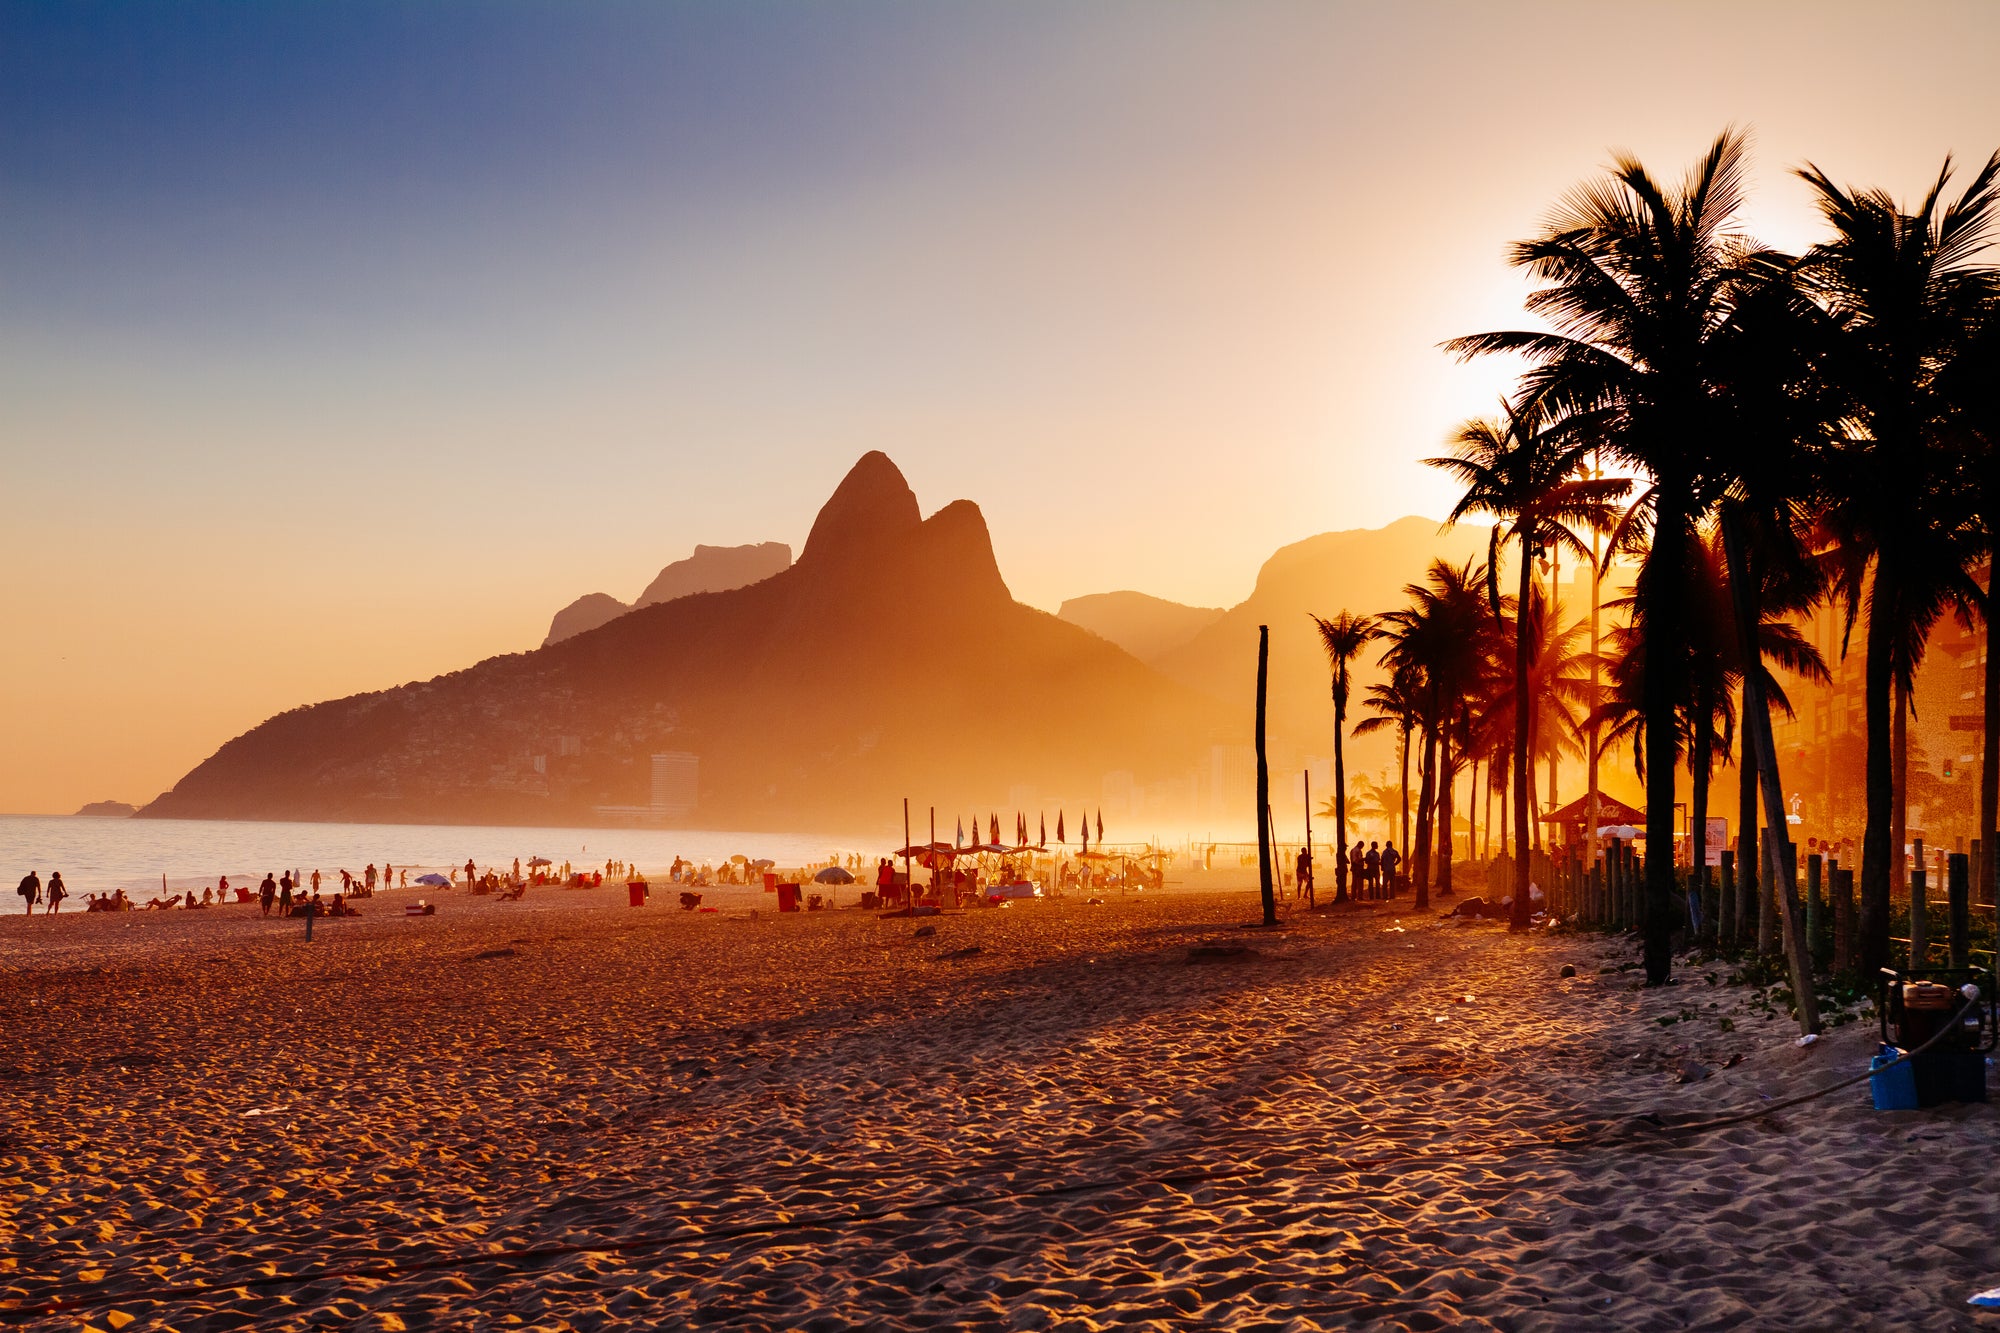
(1905, 291)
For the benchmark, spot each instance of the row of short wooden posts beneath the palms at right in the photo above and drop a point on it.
(1613, 896)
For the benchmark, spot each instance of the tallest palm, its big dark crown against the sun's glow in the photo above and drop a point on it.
(1639, 281)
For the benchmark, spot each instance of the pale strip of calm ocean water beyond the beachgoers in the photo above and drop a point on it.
(97, 856)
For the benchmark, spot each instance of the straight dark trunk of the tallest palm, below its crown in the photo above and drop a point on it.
(1663, 595)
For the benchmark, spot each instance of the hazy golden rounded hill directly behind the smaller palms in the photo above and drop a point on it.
(1363, 571)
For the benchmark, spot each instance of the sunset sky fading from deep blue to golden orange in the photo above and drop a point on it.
(345, 343)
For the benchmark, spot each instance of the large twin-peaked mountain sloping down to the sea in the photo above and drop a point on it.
(889, 661)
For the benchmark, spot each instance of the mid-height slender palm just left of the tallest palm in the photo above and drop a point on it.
(1525, 473)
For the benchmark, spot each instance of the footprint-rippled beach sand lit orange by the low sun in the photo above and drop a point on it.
(827, 1122)
